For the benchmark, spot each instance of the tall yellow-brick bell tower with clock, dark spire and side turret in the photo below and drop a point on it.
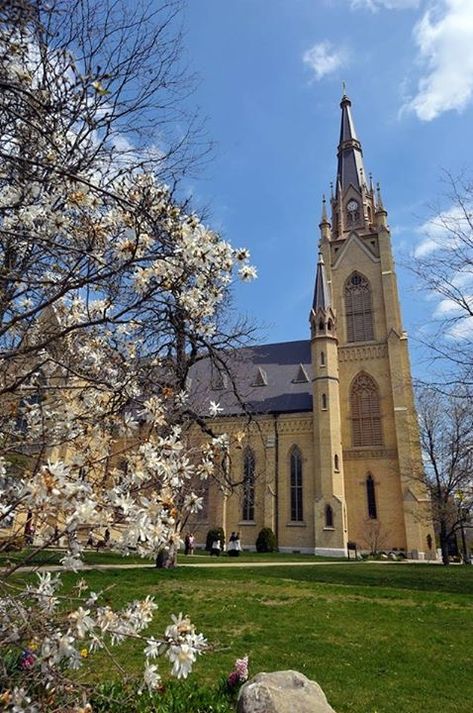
(367, 455)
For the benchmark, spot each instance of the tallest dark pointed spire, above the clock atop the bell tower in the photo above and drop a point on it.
(350, 168)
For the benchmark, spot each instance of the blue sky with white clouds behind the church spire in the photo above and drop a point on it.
(271, 76)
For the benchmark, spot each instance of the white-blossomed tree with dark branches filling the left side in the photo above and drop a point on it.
(111, 290)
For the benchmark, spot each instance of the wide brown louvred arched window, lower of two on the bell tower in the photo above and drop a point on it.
(365, 412)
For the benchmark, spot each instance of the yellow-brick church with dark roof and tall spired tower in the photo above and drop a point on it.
(324, 445)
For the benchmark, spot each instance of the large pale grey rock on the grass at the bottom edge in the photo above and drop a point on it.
(282, 692)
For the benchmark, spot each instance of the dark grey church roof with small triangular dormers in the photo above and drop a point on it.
(270, 378)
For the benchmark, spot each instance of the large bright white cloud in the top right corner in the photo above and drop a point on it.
(444, 37)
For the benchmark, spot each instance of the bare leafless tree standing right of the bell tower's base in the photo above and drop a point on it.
(446, 431)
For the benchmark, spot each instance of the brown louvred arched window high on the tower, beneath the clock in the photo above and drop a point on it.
(358, 309)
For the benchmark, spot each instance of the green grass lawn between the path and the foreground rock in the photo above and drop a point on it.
(379, 638)
